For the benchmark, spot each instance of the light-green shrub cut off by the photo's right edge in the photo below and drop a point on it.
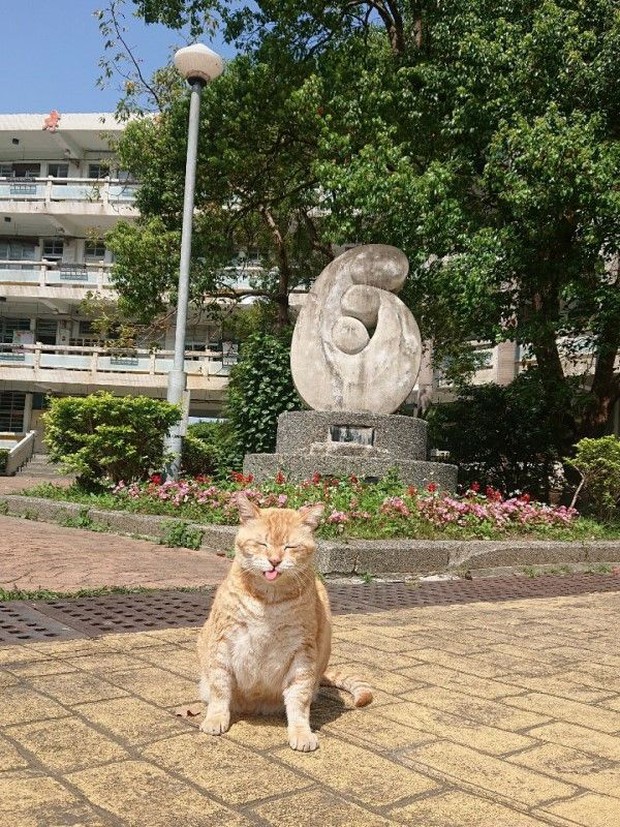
(598, 462)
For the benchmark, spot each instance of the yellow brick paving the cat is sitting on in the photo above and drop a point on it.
(486, 715)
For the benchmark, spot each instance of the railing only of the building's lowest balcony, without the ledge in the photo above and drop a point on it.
(103, 363)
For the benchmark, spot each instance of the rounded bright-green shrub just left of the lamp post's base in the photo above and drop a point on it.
(105, 436)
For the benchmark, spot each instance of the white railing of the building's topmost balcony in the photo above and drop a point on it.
(48, 190)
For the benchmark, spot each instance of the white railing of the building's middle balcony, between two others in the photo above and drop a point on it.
(55, 274)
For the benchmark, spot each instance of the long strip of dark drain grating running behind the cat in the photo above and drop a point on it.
(22, 621)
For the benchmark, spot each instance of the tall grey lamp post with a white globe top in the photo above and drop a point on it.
(198, 65)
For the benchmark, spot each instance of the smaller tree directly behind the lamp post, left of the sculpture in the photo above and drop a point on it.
(255, 191)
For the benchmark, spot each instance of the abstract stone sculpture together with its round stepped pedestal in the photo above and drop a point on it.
(355, 356)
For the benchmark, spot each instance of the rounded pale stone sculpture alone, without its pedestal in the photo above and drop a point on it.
(356, 346)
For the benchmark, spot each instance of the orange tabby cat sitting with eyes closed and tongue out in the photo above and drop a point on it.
(267, 640)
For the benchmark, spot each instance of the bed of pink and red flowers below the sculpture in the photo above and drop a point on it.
(353, 508)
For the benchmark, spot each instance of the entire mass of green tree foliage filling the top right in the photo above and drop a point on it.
(480, 136)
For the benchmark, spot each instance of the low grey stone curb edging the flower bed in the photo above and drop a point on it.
(345, 557)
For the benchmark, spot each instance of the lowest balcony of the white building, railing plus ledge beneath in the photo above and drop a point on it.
(81, 370)
